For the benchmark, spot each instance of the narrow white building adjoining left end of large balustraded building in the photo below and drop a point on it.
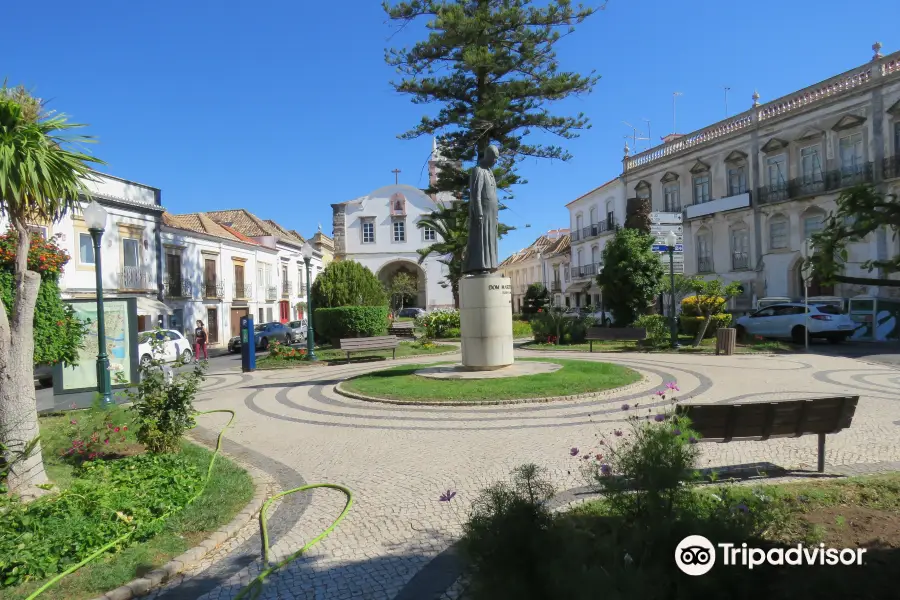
(594, 217)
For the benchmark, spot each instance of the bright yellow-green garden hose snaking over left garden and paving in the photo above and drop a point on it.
(255, 586)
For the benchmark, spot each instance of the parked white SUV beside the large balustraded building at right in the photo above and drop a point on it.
(789, 320)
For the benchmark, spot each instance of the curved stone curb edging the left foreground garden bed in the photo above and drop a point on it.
(189, 559)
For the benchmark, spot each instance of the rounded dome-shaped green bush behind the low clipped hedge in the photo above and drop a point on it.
(347, 283)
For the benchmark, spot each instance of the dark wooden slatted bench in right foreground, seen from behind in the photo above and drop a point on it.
(763, 420)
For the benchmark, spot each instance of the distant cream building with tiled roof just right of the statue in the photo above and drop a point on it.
(545, 261)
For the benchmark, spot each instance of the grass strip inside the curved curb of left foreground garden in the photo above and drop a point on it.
(229, 490)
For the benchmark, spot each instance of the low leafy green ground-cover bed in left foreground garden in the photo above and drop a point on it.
(106, 501)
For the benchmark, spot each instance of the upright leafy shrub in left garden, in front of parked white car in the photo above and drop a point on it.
(163, 403)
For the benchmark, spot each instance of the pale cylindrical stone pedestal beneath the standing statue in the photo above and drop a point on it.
(485, 314)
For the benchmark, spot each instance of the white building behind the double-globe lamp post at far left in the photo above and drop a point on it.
(130, 246)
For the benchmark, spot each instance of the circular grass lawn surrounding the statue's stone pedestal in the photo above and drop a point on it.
(575, 377)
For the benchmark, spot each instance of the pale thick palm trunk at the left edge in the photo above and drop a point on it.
(18, 407)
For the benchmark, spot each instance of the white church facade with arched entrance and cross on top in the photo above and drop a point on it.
(380, 231)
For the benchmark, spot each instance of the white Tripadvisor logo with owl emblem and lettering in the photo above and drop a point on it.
(696, 555)
